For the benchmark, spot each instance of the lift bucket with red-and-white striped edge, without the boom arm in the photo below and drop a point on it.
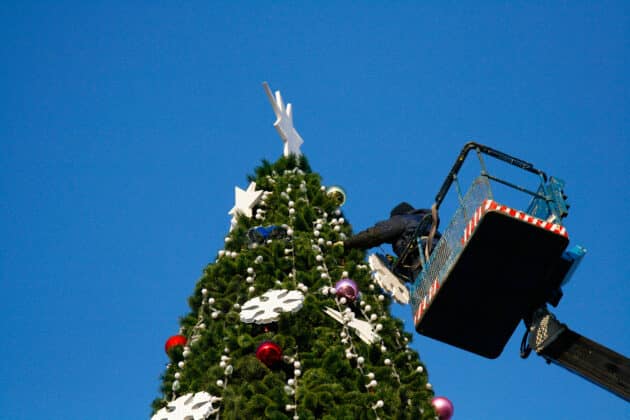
(493, 264)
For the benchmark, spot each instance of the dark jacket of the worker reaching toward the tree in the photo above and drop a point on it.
(398, 231)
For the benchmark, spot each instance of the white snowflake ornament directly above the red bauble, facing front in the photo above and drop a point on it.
(268, 307)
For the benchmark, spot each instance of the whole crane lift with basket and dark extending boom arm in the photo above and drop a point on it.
(496, 265)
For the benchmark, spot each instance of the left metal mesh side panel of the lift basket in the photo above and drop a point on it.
(450, 246)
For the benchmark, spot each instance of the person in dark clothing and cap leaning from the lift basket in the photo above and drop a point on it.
(401, 231)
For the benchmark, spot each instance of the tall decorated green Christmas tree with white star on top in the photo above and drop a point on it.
(285, 323)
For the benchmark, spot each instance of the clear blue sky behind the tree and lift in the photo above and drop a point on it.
(125, 127)
